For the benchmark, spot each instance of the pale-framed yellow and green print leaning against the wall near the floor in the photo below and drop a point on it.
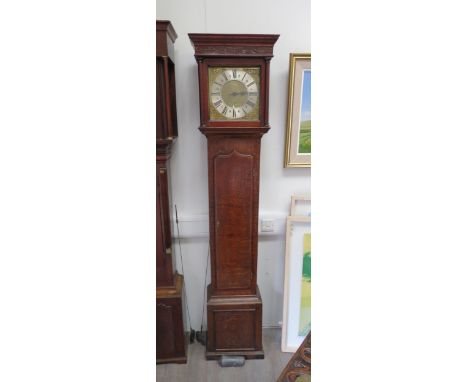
(297, 283)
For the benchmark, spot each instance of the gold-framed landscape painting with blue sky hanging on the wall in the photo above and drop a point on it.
(298, 126)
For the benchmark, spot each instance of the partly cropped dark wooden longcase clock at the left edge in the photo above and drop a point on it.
(170, 336)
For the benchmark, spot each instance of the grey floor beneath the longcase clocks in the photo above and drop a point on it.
(198, 369)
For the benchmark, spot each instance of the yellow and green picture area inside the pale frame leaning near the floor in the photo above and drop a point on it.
(304, 317)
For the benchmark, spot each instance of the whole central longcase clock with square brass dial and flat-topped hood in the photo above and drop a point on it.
(233, 72)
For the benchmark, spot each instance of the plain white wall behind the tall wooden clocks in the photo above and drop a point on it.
(290, 19)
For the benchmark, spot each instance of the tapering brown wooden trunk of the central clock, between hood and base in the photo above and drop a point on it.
(233, 169)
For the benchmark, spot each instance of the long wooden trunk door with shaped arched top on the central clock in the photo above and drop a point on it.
(234, 183)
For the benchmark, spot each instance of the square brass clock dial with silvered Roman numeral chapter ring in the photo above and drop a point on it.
(234, 93)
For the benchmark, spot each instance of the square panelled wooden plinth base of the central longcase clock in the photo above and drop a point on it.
(234, 326)
